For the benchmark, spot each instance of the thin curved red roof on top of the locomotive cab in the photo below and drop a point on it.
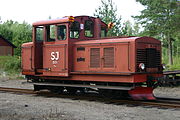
(59, 20)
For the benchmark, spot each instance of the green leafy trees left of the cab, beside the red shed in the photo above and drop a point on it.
(16, 33)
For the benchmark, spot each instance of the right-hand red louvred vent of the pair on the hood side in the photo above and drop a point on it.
(108, 57)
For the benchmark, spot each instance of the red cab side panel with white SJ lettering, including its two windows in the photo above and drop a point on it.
(55, 51)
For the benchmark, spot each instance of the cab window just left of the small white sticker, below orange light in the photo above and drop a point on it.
(74, 30)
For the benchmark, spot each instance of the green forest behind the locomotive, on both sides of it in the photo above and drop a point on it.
(159, 19)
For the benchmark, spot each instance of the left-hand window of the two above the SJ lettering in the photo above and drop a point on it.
(50, 33)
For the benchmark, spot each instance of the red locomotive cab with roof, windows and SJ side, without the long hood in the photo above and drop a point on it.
(52, 43)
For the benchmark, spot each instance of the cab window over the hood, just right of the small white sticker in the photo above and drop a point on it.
(89, 28)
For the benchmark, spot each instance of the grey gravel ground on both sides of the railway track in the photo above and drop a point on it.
(31, 107)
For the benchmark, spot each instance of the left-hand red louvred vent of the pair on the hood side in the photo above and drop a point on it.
(95, 57)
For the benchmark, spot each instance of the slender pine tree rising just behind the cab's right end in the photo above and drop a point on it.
(107, 12)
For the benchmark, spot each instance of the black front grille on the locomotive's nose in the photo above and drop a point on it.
(149, 56)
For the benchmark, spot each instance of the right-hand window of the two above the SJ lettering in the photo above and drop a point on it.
(61, 32)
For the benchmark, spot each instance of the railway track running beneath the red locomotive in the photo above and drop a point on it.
(160, 102)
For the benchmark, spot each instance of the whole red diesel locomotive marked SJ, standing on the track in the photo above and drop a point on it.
(73, 53)
